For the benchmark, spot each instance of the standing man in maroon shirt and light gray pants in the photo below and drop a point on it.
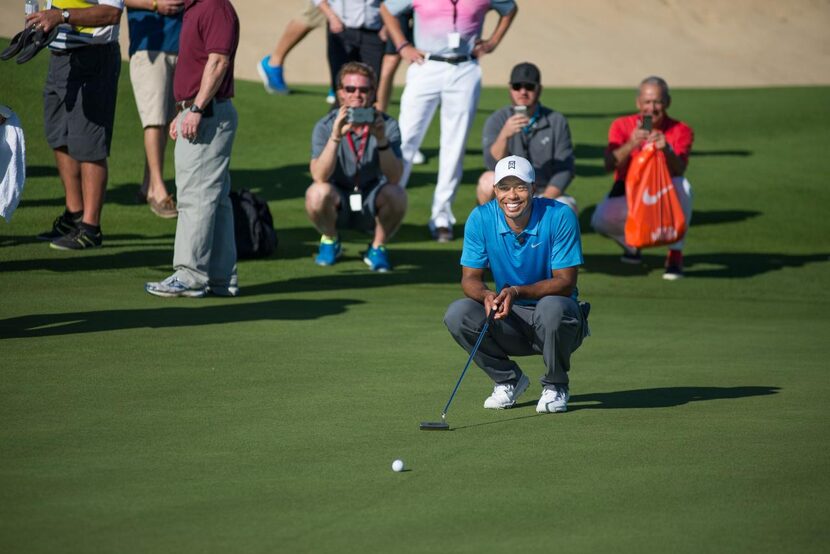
(204, 257)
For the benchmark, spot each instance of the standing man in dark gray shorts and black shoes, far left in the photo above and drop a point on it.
(79, 111)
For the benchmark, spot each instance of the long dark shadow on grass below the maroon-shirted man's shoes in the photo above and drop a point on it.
(165, 316)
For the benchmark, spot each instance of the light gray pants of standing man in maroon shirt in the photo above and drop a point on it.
(205, 250)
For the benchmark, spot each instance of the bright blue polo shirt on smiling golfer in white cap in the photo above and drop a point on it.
(550, 241)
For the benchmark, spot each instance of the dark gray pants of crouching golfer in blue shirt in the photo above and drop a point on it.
(554, 328)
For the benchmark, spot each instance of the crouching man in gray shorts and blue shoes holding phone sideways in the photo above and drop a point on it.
(356, 164)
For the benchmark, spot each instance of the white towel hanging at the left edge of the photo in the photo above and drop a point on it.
(12, 163)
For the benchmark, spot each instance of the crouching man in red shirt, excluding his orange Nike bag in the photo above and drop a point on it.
(626, 138)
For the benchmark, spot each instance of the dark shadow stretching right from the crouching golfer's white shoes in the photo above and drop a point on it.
(664, 397)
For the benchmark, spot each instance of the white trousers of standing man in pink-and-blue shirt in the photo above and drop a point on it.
(456, 88)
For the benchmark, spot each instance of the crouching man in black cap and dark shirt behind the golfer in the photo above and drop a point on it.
(528, 129)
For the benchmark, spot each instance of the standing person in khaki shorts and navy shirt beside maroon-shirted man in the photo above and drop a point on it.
(154, 47)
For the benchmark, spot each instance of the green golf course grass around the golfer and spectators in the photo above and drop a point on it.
(698, 419)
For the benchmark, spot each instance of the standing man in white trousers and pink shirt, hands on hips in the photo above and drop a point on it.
(444, 71)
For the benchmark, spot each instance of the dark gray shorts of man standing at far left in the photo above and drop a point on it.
(79, 100)
